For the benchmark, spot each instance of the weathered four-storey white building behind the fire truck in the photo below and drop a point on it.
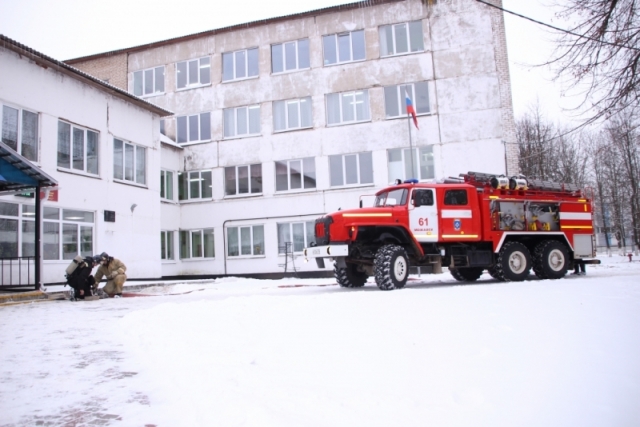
(279, 121)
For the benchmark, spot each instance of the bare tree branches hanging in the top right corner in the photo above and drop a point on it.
(600, 56)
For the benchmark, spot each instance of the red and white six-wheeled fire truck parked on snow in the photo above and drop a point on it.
(472, 223)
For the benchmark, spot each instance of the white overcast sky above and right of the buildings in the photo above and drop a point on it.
(65, 29)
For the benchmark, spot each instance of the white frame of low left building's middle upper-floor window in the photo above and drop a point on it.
(72, 147)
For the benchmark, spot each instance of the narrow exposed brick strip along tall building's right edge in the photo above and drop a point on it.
(502, 68)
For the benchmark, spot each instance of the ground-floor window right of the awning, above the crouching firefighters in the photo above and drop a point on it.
(65, 237)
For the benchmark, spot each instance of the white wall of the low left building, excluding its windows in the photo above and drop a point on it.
(54, 96)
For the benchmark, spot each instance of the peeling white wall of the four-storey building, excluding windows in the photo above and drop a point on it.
(470, 125)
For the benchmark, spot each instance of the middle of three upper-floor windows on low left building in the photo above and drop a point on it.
(77, 148)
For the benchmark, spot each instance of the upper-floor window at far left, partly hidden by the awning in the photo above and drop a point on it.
(20, 131)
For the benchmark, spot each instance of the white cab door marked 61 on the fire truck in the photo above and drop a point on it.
(423, 215)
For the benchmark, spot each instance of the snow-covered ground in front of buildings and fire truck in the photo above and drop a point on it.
(271, 353)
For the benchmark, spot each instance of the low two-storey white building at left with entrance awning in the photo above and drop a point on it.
(101, 144)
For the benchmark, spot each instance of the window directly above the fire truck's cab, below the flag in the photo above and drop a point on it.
(400, 163)
